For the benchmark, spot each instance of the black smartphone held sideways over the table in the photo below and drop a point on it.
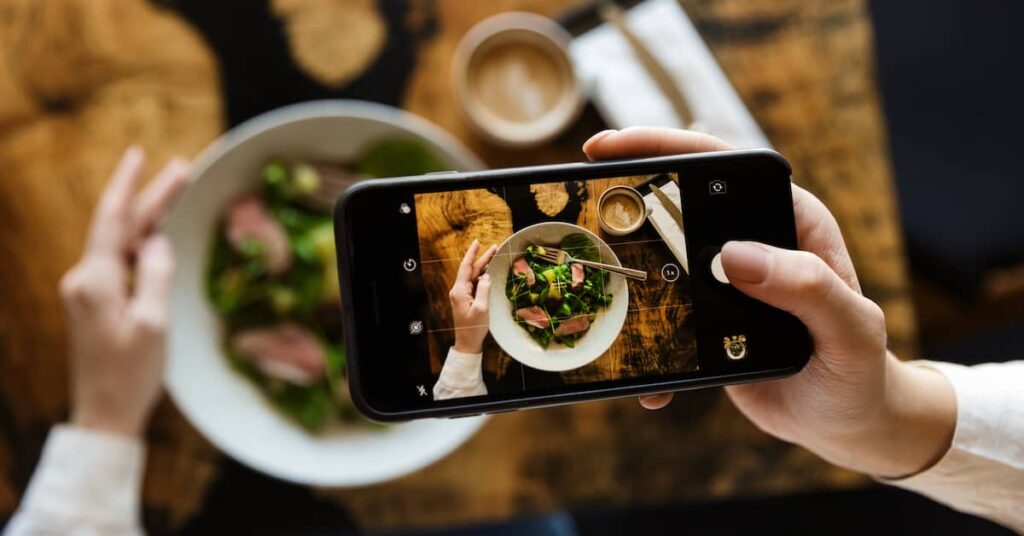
(563, 321)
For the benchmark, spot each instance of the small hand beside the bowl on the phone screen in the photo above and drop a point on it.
(470, 306)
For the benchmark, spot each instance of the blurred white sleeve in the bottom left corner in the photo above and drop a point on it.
(88, 484)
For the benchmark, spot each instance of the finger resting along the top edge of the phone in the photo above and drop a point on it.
(642, 142)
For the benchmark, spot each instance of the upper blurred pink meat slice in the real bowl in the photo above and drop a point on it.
(248, 221)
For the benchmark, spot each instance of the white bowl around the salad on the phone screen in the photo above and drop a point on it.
(517, 342)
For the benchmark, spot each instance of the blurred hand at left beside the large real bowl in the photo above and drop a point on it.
(117, 301)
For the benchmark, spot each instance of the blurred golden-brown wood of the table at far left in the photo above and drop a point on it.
(79, 83)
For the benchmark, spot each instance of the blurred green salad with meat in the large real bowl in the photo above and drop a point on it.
(273, 277)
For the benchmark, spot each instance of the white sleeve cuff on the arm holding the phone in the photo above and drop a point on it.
(984, 471)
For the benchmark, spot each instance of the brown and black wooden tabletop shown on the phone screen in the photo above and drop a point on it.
(658, 336)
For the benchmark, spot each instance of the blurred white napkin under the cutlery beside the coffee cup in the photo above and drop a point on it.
(625, 94)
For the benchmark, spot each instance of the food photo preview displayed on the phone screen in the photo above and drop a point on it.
(532, 287)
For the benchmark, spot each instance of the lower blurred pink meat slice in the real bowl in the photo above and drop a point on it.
(286, 352)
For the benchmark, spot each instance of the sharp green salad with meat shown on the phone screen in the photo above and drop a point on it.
(558, 303)
